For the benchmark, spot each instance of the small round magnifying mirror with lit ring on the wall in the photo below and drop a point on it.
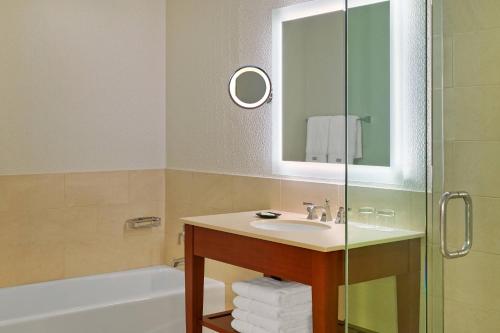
(250, 87)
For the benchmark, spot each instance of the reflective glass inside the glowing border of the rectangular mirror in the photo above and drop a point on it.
(314, 88)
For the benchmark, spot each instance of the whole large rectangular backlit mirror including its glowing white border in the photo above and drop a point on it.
(375, 92)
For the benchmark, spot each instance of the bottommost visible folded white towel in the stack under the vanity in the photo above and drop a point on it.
(273, 326)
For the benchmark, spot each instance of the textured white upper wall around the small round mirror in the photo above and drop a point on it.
(207, 41)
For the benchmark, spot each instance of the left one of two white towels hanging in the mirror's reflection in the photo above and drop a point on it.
(317, 139)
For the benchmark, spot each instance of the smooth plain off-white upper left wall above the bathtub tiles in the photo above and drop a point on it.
(82, 85)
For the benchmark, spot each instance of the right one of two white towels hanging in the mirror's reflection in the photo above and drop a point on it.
(336, 144)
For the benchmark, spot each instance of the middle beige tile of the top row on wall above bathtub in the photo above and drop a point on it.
(99, 188)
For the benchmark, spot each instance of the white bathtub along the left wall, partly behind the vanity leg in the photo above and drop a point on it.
(147, 300)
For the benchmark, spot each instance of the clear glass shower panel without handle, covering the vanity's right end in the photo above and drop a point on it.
(386, 187)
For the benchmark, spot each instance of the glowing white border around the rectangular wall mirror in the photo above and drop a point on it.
(377, 176)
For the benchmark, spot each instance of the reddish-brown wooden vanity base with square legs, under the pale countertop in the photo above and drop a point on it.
(324, 271)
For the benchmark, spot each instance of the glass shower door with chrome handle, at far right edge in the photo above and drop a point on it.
(466, 150)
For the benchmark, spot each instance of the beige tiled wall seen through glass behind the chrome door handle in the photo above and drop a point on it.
(472, 123)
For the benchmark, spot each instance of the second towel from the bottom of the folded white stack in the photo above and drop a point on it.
(272, 312)
